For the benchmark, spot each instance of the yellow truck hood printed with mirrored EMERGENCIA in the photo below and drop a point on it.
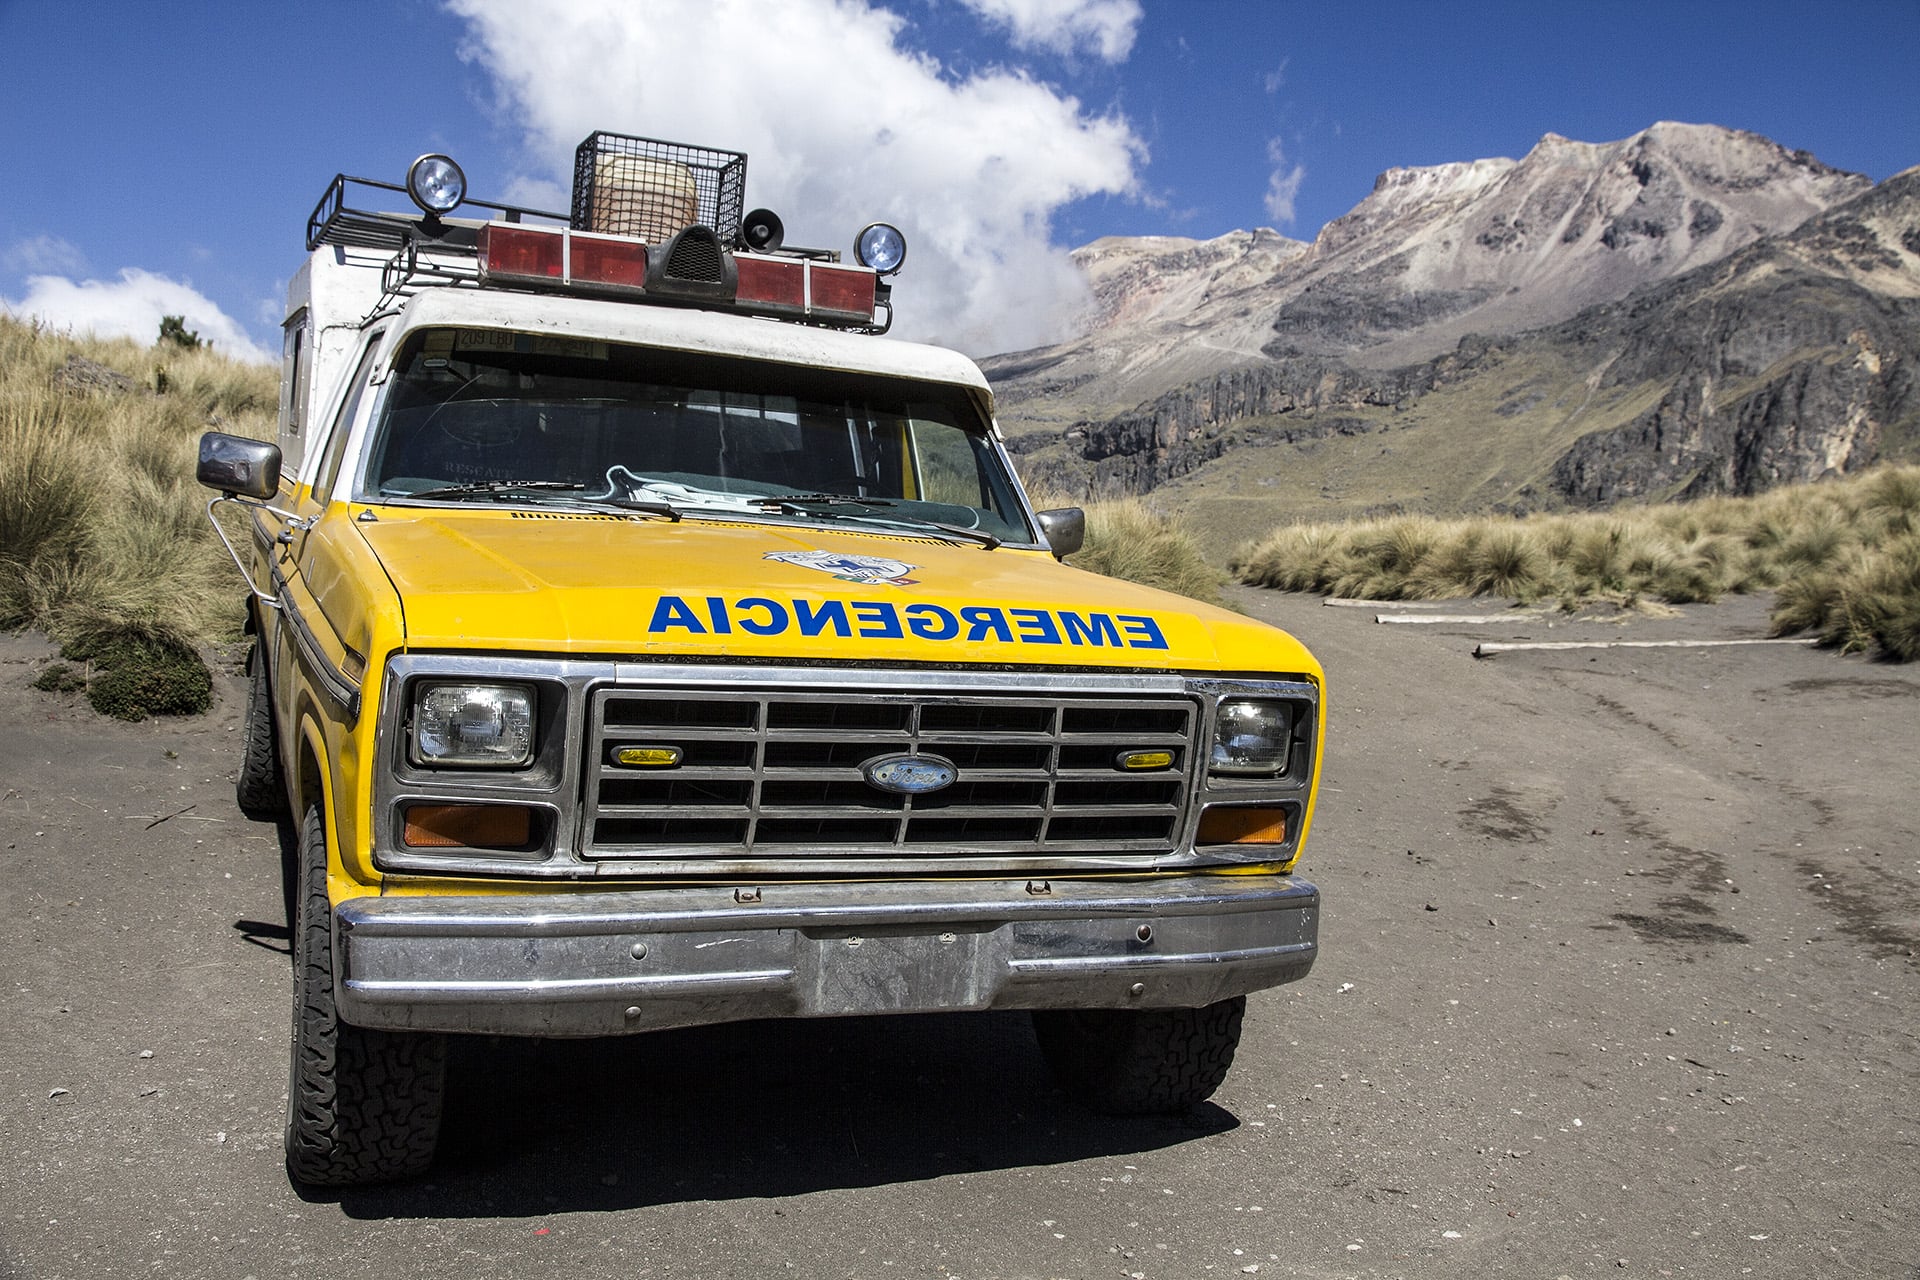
(594, 584)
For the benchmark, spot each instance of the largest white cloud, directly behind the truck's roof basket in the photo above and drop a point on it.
(842, 126)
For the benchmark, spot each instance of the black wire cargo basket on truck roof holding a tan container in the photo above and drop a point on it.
(650, 189)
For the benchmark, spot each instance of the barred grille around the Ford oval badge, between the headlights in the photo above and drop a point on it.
(780, 774)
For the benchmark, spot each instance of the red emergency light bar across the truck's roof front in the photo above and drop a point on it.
(556, 258)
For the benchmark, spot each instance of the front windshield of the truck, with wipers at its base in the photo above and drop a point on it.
(491, 415)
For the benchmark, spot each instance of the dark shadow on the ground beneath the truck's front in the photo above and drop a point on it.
(752, 1112)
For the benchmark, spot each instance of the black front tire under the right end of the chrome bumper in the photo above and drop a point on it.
(1141, 1062)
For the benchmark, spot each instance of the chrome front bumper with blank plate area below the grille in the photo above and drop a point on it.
(621, 962)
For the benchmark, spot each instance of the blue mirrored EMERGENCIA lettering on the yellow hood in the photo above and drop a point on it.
(757, 615)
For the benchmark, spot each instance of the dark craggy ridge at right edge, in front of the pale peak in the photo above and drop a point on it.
(1794, 360)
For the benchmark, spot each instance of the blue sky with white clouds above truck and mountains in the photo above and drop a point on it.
(164, 158)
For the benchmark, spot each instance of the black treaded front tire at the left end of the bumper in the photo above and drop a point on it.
(362, 1106)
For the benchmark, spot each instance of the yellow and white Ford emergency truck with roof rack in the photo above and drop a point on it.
(644, 640)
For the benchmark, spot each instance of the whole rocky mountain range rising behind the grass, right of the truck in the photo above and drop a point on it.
(1691, 310)
